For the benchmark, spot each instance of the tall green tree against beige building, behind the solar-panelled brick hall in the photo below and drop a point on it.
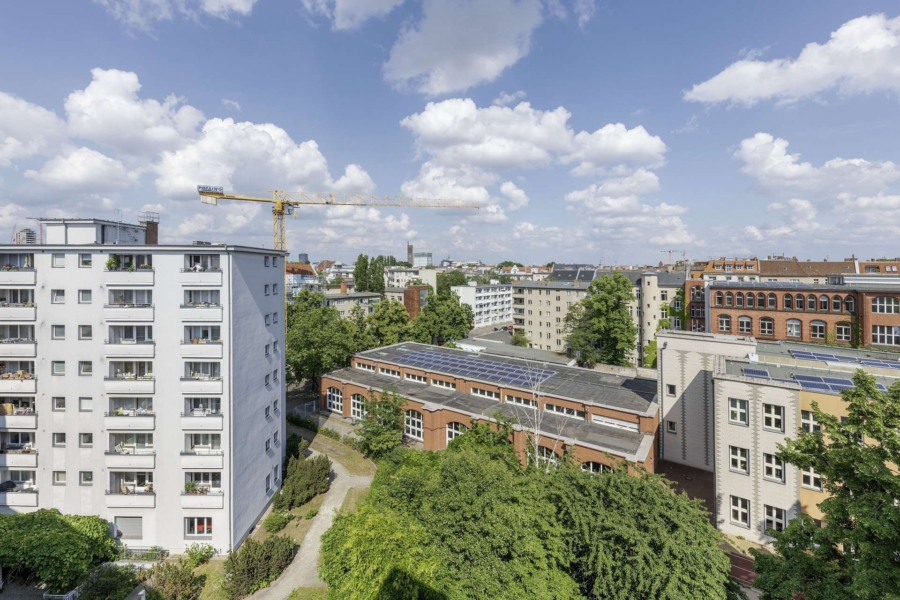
(600, 327)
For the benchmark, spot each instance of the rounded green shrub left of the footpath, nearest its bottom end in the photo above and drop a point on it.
(255, 565)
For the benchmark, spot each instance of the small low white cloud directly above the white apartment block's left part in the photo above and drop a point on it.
(84, 169)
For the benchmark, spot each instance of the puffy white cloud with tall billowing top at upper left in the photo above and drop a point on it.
(108, 111)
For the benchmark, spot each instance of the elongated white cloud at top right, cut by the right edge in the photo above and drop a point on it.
(861, 57)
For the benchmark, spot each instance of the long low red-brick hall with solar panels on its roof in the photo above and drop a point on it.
(606, 421)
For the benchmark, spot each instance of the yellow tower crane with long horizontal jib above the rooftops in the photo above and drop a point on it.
(285, 202)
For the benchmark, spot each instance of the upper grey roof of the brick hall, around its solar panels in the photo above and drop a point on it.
(629, 394)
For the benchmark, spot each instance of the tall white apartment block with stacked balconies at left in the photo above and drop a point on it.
(142, 383)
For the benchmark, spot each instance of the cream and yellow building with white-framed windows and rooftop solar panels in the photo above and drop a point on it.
(728, 402)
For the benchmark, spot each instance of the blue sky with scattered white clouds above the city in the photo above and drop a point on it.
(587, 131)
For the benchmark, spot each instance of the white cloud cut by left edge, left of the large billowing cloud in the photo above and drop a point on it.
(27, 130)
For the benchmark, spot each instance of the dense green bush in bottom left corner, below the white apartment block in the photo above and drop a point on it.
(58, 549)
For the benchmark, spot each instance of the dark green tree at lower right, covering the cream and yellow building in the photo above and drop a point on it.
(853, 556)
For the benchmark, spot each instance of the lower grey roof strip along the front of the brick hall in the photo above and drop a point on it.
(632, 445)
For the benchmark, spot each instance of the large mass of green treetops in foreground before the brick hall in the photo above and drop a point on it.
(471, 523)
